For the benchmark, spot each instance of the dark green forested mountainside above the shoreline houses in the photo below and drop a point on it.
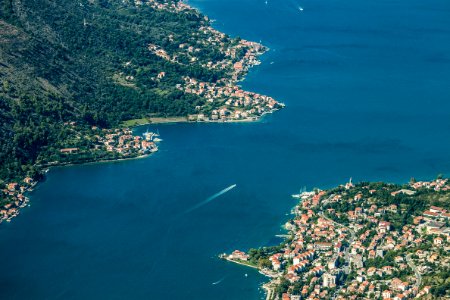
(88, 61)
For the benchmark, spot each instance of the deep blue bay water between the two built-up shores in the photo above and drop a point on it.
(367, 88)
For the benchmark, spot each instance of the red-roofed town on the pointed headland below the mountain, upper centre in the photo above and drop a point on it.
(225, 100)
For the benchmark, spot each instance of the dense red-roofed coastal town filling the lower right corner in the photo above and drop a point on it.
(361, 241)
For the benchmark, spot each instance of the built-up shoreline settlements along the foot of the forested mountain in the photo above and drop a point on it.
(223, 101)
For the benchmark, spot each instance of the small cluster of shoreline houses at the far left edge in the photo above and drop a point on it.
(14, 192)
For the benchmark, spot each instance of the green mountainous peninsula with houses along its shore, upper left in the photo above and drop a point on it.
(104, 75)
